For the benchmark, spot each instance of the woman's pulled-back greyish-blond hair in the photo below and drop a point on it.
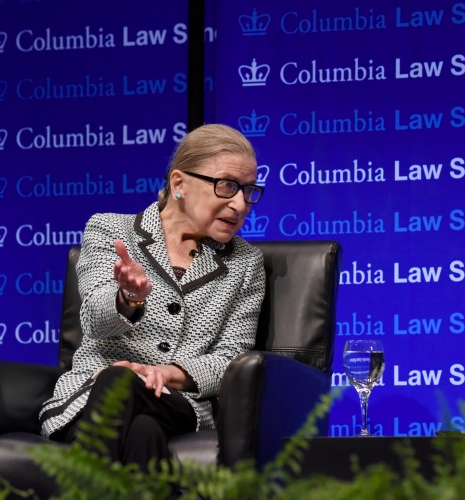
(199, 146)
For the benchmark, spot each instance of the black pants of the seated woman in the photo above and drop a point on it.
(147, 422)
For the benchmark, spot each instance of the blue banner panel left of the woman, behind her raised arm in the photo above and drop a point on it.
(92, 104)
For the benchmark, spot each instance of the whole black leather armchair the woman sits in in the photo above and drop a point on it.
(265, 394)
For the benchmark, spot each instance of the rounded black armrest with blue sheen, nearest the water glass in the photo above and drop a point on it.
(264, 398)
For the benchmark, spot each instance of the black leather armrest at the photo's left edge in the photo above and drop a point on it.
(23, 388)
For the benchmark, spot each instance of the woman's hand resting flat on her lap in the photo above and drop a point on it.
(161, 375)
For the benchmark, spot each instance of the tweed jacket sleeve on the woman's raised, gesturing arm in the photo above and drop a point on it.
(98, 289)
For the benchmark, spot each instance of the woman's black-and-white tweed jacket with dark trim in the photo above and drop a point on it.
(219, 295)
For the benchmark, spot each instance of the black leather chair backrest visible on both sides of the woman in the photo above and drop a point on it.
(298, 313)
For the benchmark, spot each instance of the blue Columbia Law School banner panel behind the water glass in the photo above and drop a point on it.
(357, 111)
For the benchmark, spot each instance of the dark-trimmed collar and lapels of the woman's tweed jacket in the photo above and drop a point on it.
(205, 267)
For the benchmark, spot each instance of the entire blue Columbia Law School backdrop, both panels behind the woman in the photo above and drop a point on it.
(356, 110)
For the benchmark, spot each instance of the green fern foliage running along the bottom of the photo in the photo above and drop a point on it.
(84, 472)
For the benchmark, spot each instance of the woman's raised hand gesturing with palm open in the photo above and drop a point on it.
(130, 275)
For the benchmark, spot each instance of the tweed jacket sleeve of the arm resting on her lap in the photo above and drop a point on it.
(236, 337)
